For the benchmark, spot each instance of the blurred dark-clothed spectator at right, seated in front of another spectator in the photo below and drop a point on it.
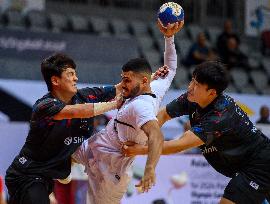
(233, 56)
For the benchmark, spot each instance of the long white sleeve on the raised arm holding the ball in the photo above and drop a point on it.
(160, 86)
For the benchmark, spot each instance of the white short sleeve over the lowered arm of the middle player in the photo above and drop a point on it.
(143, 112)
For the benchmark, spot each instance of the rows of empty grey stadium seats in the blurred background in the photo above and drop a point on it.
(150, 43)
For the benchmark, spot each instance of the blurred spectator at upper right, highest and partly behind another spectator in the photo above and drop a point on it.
(224, 36)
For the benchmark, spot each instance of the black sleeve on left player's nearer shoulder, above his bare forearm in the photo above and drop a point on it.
(47, 108)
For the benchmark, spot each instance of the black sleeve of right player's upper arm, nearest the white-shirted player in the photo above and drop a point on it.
(178, 107)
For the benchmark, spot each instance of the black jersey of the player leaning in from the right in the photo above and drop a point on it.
(232, 142)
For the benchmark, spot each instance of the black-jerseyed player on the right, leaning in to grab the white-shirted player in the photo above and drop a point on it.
(221, 129)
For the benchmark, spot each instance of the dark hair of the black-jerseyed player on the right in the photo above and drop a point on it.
(213, 74)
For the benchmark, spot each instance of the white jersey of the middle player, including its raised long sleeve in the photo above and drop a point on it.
(103, 150)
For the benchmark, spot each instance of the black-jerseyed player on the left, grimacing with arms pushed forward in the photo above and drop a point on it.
(60, 121)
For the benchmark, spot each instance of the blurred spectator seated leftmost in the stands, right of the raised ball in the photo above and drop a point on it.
(199, 52)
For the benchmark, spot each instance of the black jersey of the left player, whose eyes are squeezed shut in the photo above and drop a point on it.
(50, 142)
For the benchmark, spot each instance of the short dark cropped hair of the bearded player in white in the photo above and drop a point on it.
(137, 65)
